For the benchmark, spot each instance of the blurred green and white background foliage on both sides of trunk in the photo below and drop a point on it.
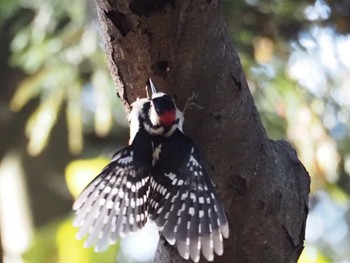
(60, 119)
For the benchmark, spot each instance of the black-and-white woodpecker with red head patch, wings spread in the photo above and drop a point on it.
(159, 176)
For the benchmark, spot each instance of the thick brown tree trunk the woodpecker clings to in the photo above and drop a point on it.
(185, 48)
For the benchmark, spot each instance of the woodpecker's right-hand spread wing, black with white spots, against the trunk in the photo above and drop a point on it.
(183, 202)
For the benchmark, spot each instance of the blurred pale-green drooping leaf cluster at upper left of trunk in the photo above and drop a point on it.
(58, 49)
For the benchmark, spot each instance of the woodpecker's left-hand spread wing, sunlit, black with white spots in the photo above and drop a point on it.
(115, 202)
